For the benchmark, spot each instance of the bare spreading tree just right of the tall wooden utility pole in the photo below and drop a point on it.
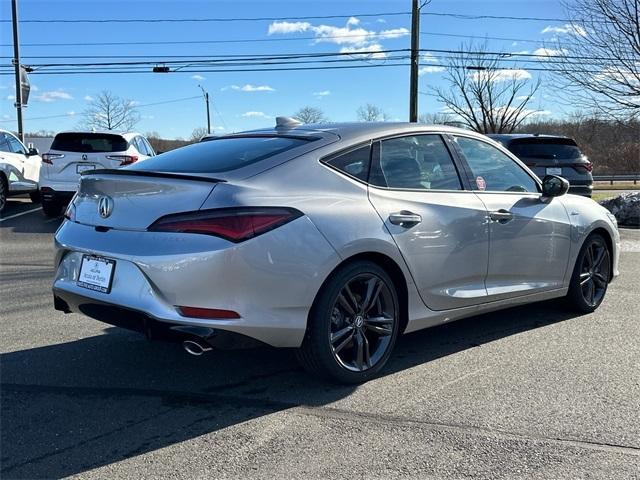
(482, 95)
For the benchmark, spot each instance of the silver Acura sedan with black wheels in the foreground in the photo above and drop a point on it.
(333, 239)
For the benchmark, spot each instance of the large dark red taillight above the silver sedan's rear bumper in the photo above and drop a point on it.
(233, 224)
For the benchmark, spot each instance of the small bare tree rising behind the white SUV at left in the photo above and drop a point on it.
(110, 112)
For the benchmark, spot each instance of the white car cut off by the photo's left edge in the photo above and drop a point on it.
(19, 169)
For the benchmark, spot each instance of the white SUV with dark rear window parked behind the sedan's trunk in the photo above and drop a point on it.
(72, 153)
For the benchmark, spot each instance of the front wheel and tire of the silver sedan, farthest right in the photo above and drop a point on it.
(591, 275)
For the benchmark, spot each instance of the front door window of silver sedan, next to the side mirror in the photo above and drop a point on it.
(492, 170)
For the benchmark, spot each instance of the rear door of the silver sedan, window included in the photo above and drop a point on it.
(439, 228)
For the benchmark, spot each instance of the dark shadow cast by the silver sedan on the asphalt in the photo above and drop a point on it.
(76, 406)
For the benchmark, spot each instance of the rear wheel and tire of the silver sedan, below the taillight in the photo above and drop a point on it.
(353, 324)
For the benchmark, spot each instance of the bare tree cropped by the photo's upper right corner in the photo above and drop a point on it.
(598, 61)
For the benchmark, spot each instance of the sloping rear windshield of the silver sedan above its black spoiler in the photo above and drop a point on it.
(220, 154)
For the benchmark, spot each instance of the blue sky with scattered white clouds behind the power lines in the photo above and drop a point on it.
(251, 99)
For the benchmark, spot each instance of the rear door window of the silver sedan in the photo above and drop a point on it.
(419, 162)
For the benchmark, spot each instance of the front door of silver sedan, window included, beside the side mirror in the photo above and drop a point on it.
(529, 239)
